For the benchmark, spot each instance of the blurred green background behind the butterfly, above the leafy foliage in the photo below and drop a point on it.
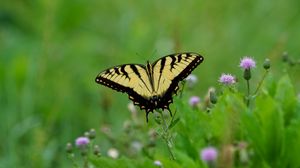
(51, 51)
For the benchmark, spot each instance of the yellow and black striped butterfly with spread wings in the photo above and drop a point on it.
(152, 86)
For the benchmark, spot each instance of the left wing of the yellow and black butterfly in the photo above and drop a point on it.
(131, 79)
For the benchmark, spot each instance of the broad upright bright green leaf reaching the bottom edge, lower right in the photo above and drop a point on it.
(271, 129)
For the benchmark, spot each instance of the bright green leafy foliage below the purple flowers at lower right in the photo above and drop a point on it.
(257, 136)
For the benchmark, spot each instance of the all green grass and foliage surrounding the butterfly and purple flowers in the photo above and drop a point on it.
(51, 51)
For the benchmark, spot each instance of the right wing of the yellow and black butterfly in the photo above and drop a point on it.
(169, 71)
